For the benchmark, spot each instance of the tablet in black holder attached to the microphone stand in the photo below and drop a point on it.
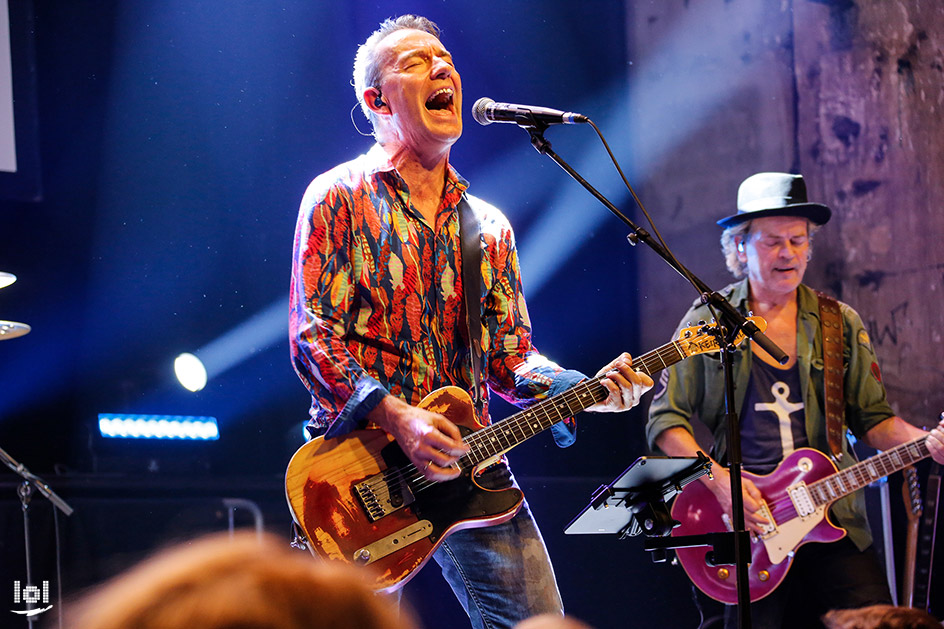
(635, 502)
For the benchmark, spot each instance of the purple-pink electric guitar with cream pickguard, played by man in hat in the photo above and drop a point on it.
(796, 497)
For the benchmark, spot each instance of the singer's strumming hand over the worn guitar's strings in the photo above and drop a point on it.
(432, 442)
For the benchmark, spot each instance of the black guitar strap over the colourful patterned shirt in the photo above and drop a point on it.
(470, 241)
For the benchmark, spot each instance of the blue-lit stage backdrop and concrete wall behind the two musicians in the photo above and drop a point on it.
(175, 139)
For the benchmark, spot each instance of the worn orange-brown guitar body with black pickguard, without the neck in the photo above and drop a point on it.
(321, 490)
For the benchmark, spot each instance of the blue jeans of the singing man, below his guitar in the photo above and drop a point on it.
(501, 574)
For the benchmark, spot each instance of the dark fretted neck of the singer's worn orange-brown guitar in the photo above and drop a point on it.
(502, 436)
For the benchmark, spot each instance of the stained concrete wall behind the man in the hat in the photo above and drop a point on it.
(849, 94)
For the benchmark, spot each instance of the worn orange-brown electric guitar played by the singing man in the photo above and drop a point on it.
(359, 500)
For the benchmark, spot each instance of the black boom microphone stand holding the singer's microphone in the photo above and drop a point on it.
(730, 322)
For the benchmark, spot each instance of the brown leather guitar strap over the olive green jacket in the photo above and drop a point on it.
(831, 320)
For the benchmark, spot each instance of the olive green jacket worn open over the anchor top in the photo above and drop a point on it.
(695, 388)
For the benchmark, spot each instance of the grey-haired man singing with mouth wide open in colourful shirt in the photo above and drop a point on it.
(378, 320)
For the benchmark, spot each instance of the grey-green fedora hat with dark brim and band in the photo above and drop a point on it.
(775, 194)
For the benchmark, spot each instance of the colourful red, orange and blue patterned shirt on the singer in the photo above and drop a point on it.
(376, 300)
